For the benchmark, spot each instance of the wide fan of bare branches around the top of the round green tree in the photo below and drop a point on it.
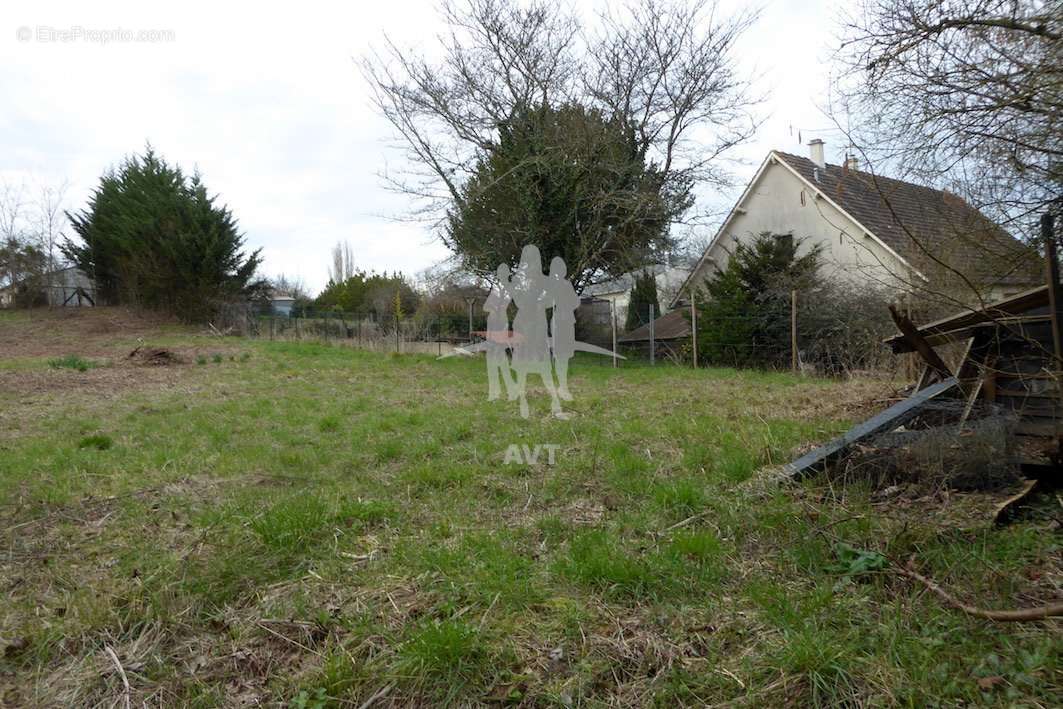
(665, 67)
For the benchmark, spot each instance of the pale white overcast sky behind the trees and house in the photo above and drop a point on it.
(268, 104)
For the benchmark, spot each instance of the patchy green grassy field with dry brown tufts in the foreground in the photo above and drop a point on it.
(307, 526)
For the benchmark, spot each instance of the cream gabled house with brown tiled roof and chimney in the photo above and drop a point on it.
(873, 231)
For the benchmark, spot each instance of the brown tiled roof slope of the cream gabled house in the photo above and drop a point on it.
(923, 225)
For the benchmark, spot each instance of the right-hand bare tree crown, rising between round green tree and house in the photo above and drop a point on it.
(668, 69)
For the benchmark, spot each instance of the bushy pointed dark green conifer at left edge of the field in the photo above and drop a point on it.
(155, 238)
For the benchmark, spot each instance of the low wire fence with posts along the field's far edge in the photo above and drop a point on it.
(778, 339)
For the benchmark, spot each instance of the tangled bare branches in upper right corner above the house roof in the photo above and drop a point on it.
(963, 93)
